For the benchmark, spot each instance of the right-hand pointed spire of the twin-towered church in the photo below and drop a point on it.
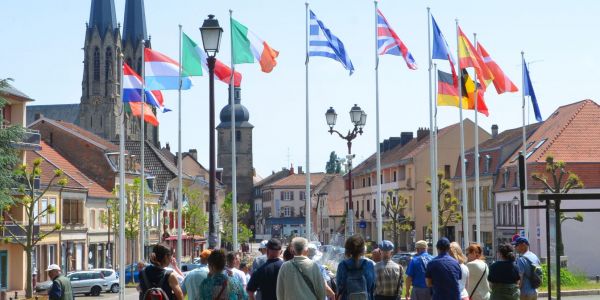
(134, 29)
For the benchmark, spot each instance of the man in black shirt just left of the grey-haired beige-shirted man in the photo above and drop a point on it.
(264, 279)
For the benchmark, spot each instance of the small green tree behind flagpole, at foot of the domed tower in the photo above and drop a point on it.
(226, 214)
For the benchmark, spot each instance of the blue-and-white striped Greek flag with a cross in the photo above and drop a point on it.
(323, 43)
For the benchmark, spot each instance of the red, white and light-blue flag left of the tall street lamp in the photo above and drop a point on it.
(162, 72)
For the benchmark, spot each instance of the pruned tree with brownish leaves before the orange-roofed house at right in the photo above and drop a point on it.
(557, 171)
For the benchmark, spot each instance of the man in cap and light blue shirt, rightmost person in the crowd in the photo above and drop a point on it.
(526, 260)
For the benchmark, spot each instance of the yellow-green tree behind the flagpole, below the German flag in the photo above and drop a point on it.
(448, 204)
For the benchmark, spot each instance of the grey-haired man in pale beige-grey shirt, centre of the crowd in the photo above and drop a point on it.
(300, 278)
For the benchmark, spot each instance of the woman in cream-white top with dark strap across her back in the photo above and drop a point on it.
(478, 271)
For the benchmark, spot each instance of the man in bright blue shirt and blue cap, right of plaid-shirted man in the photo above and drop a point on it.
(415, 274)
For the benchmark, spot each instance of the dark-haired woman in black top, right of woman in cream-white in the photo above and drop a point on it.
(504, 275)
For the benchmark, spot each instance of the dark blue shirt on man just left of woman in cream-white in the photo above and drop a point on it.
(445, 274)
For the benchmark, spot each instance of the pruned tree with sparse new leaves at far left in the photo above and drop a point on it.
(28, 197)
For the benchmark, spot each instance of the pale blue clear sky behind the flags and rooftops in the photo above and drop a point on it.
(43, 40)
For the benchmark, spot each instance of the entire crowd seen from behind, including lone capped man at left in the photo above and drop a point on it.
(294, 274)
